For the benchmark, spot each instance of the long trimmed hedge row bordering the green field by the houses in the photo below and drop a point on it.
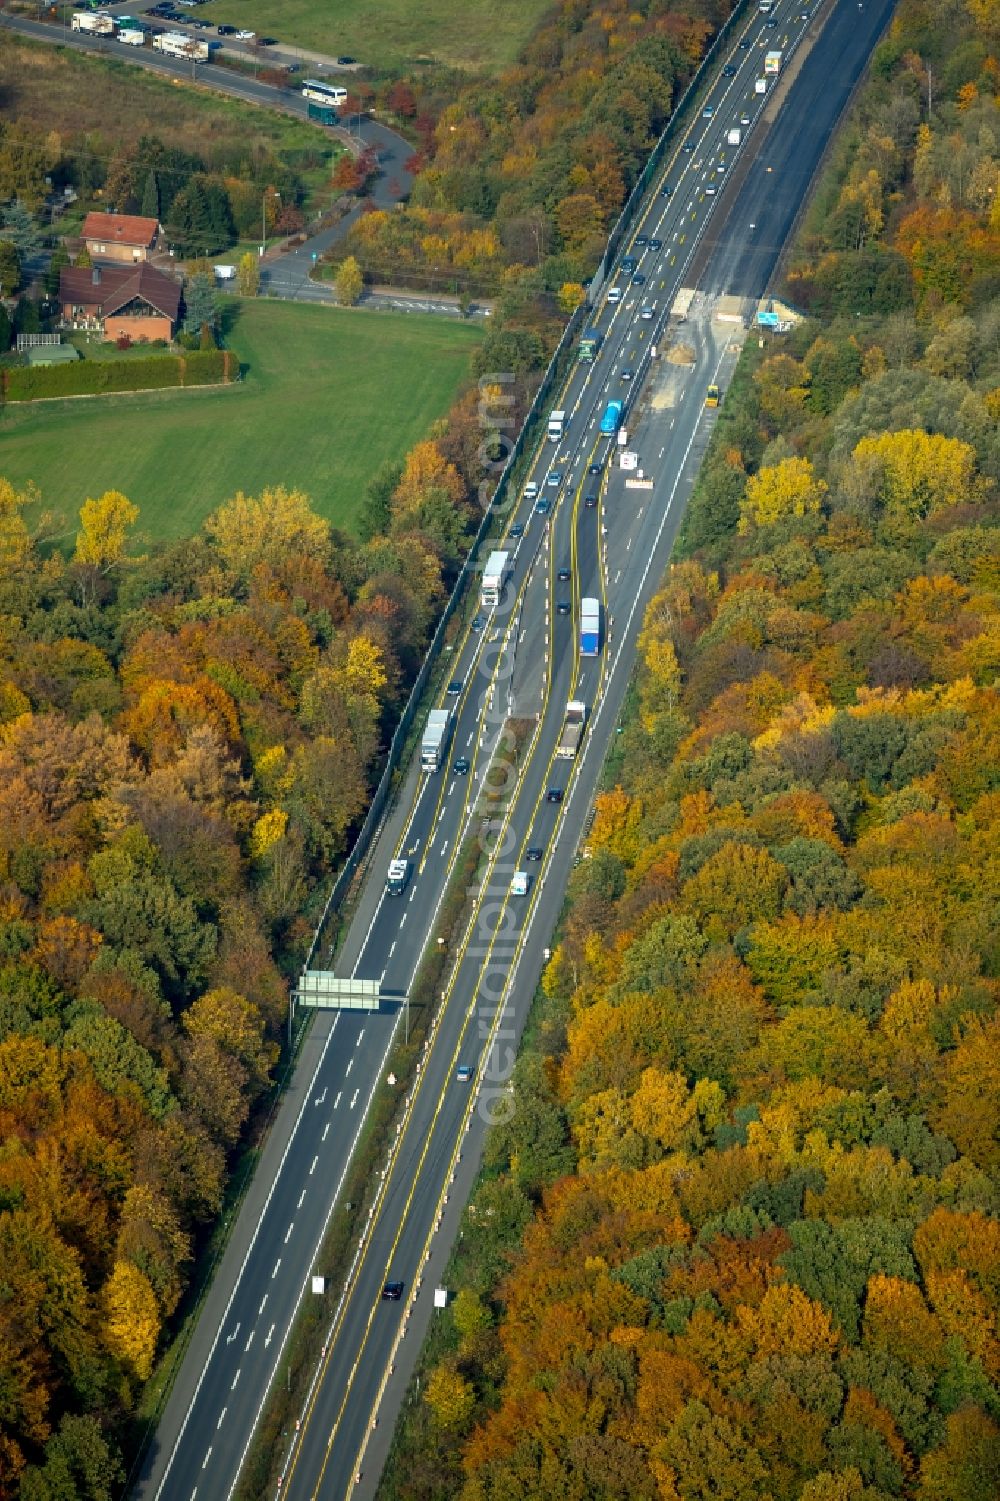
(97, 378)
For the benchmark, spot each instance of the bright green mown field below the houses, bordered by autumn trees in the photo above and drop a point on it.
(330, 394)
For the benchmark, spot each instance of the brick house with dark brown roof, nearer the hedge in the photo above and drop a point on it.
(134, 301)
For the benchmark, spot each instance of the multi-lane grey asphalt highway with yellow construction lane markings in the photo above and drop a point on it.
(523, 663)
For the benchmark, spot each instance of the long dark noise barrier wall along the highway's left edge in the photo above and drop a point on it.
(526, 436)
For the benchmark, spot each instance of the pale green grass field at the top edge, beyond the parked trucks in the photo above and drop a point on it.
(385, 34)
